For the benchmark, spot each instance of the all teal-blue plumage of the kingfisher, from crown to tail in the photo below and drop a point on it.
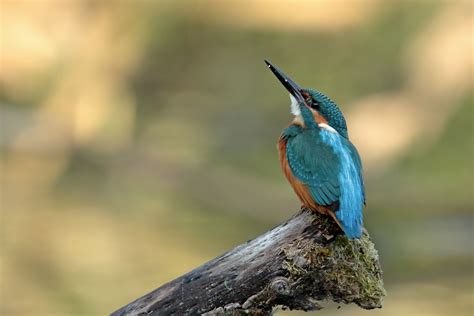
(328, 163)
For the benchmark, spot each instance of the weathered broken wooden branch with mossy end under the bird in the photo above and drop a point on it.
(295, 265)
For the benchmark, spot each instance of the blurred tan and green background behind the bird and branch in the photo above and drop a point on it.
(138, 141)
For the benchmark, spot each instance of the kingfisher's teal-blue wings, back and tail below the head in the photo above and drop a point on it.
(330, 167)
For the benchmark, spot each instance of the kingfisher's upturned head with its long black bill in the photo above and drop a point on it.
(311, 106)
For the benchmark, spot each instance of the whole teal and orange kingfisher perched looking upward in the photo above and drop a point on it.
(318, 159)
